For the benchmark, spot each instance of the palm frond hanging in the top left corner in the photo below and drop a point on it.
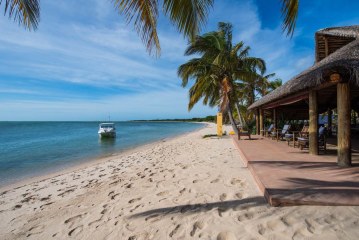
(25, 12)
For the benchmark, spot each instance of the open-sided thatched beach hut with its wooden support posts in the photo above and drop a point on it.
(332, 82)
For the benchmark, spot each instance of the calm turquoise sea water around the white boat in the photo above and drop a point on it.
(29, 149)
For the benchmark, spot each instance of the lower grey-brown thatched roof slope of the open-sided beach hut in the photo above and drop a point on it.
(344, 61)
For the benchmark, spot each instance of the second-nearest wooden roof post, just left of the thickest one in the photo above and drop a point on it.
(313, 123)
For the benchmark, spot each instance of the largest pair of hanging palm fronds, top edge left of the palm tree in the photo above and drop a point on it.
(188, 16)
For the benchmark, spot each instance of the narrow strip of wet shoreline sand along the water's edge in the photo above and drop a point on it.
(92, 161)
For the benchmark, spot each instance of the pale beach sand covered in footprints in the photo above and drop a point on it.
(182, 188)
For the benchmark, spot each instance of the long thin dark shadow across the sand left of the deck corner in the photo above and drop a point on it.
(202, 207)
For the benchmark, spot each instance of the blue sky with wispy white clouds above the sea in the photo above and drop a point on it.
(84, 62)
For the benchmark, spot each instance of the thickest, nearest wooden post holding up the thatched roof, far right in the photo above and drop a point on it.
(343, 132)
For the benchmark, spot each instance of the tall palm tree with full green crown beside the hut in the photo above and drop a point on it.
(220, 65)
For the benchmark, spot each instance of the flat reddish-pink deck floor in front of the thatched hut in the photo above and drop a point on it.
(289, 176)
